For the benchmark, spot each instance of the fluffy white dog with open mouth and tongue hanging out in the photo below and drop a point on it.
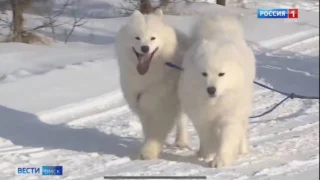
(150, 87)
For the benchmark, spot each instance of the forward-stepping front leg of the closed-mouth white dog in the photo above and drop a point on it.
(227, 152)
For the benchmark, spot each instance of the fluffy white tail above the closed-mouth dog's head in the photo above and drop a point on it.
(209, 28)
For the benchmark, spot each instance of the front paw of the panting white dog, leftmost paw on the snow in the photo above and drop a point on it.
(150, 151)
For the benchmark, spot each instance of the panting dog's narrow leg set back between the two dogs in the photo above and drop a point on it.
(182, 136)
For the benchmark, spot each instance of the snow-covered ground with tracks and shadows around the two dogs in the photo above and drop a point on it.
(61, 105)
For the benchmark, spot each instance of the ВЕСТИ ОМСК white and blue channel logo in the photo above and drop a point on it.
(44, 170)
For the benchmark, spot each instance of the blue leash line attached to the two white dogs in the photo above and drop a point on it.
(288, 95)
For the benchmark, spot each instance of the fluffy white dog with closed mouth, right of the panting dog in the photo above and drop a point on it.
(216, 88)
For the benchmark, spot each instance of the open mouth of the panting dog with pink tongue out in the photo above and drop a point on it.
(144, 61)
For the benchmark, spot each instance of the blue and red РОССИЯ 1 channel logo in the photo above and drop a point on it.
(278, 13)
